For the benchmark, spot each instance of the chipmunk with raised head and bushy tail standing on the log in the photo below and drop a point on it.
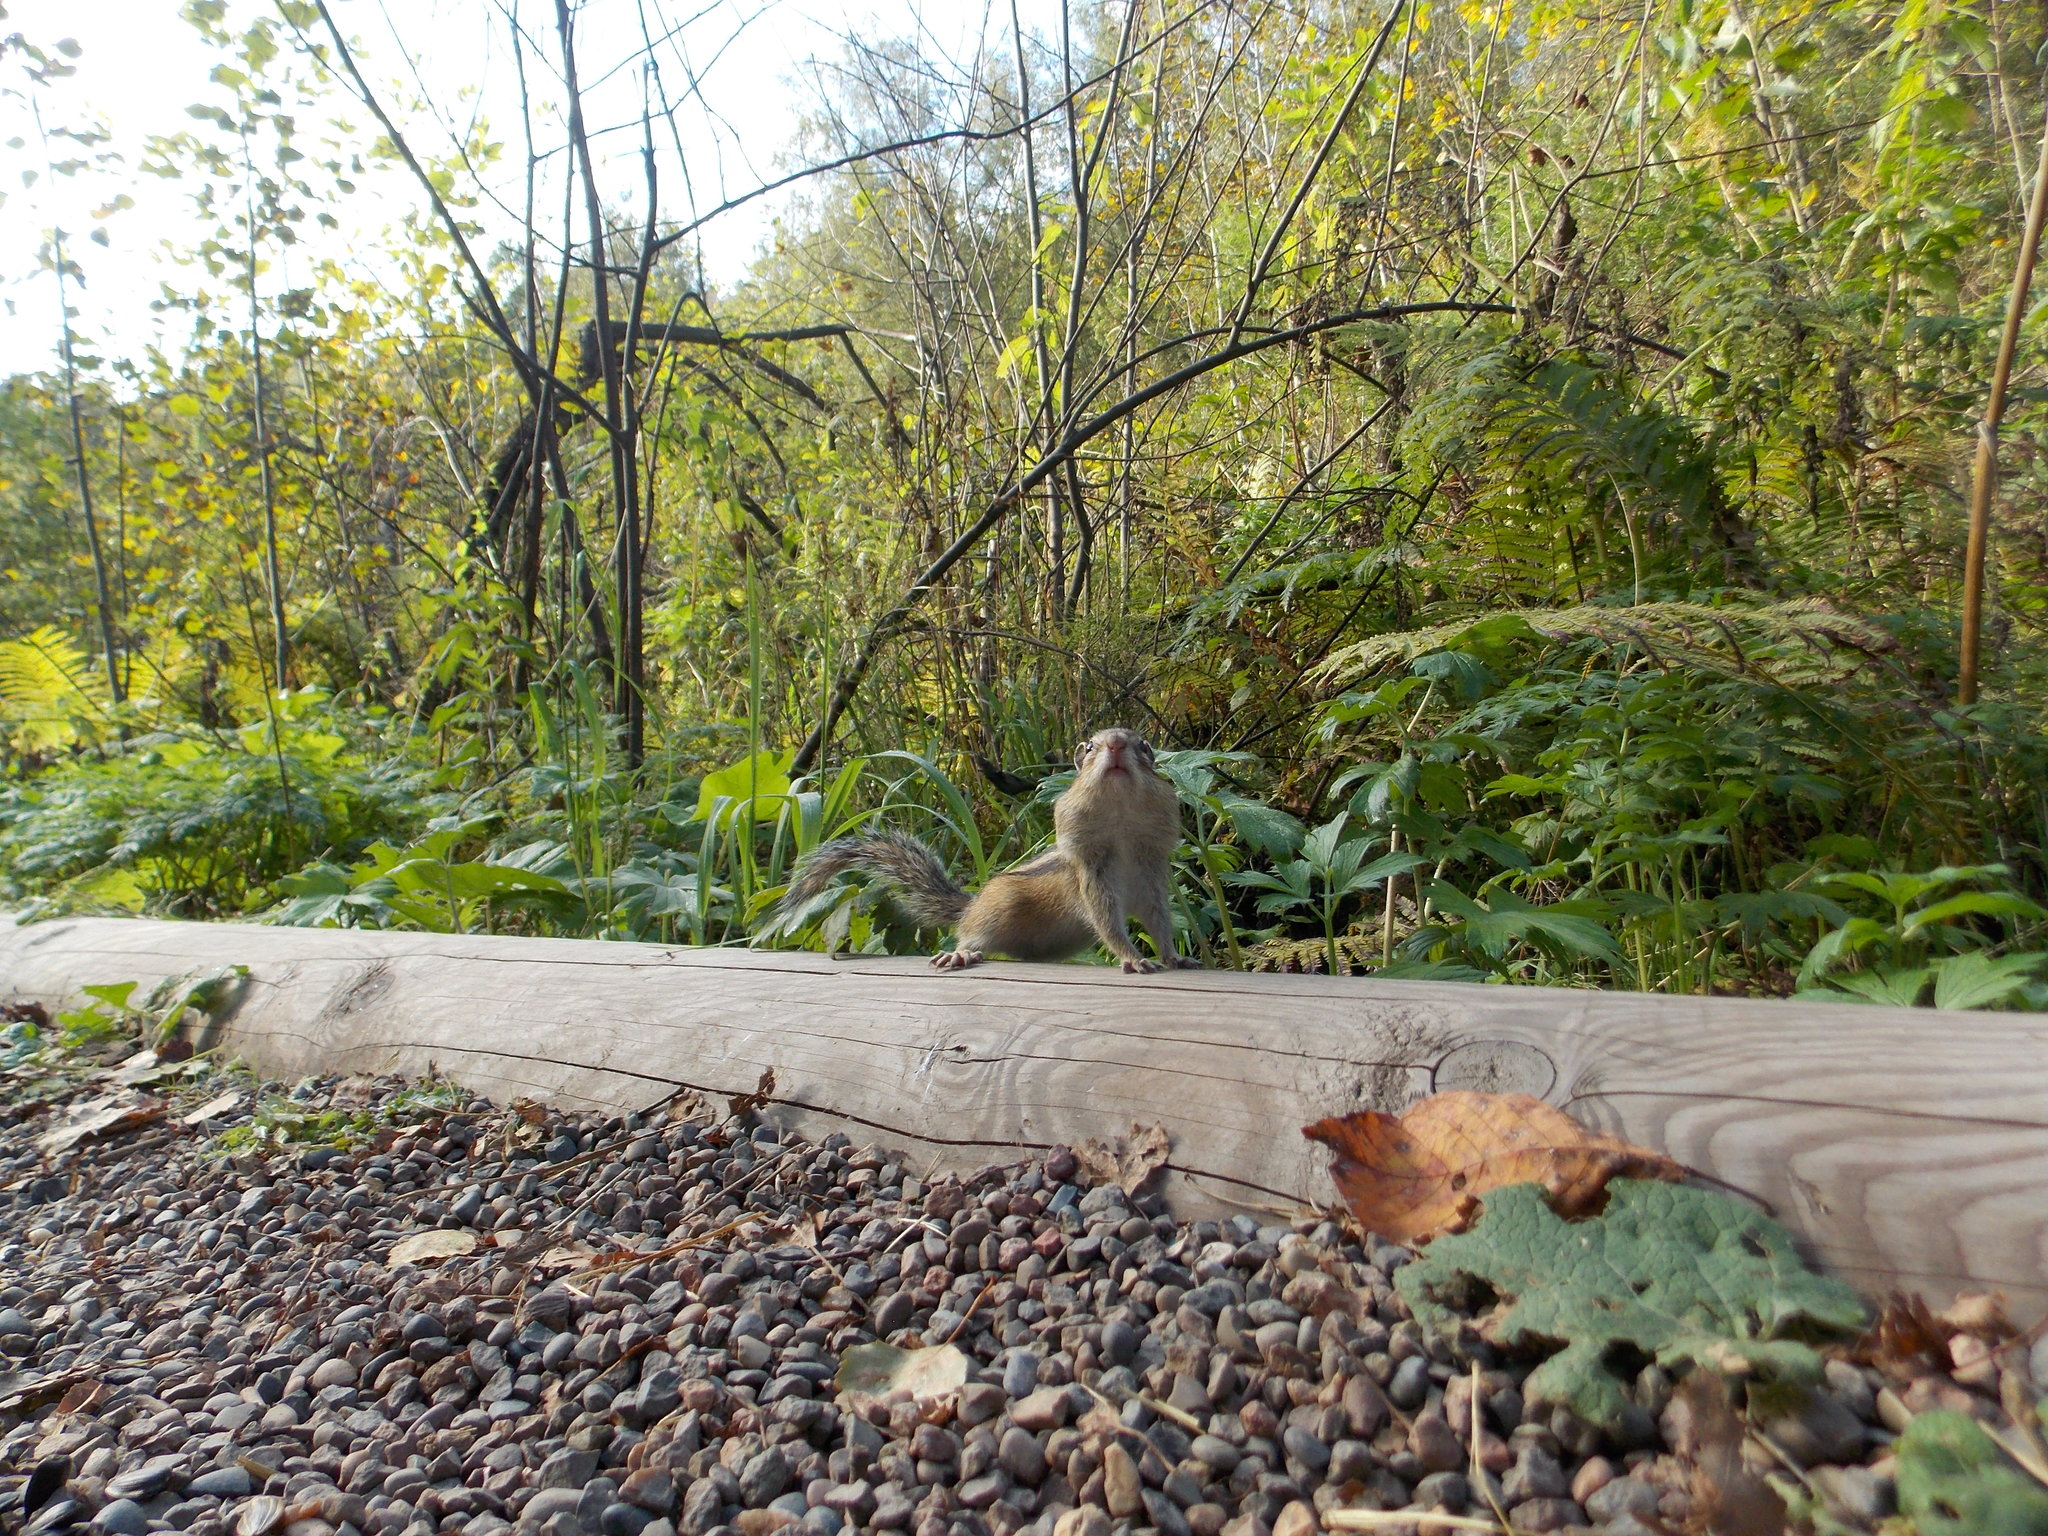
(1115, 826)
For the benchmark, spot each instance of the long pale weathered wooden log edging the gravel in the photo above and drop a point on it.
(1906, 1148)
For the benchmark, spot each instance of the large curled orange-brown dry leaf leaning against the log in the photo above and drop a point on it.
(1422, 1175)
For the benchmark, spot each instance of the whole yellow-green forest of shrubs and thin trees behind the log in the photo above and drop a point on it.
(1510, 456)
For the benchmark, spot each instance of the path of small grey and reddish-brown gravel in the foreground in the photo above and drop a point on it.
(208, 1332)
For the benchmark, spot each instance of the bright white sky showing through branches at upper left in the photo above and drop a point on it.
(140, 67)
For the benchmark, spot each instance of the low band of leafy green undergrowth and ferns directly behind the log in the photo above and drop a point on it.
(1560, 826)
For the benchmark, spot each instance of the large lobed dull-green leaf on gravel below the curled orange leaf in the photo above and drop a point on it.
(1687, 1277)
